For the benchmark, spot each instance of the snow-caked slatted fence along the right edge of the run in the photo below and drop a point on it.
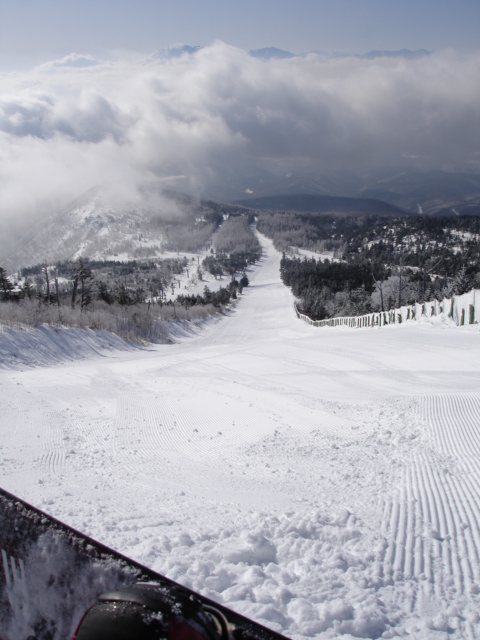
(463, 309)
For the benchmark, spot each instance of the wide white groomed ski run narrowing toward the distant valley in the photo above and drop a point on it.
(324, 482)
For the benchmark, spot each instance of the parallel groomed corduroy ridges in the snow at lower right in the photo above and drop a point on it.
(431, 522)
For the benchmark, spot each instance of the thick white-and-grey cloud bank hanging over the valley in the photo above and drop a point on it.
(202, 120)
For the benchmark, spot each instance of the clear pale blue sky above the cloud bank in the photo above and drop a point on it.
(32, 31)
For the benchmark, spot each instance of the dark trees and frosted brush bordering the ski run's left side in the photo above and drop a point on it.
(133, 305)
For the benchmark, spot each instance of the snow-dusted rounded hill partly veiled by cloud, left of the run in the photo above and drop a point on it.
(98, 228)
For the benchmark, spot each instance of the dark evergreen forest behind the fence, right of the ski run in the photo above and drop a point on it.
(380, 262)
